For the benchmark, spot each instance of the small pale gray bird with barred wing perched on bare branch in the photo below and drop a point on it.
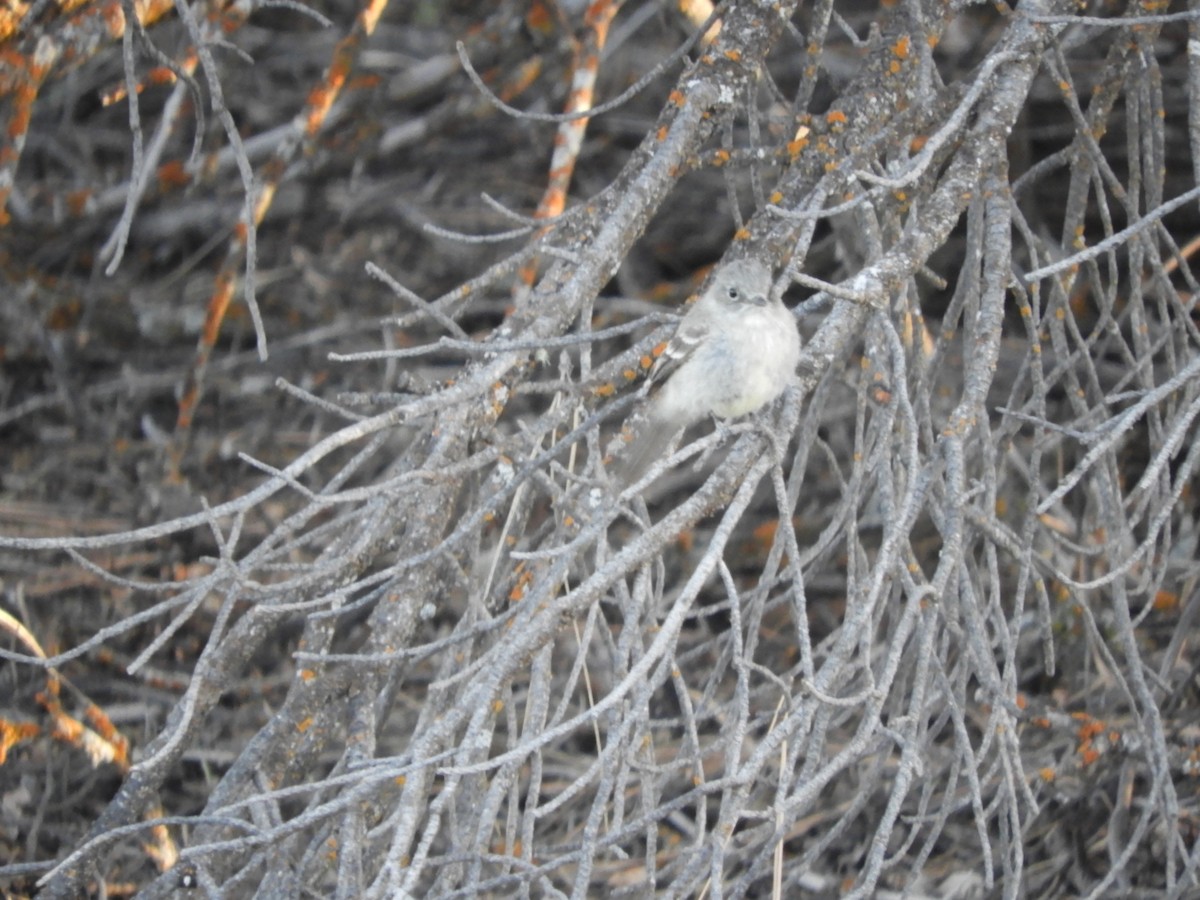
(733, 355)
